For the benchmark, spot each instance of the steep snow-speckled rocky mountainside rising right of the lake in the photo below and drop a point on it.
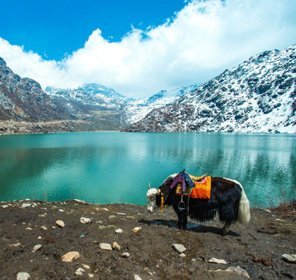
(256, 96)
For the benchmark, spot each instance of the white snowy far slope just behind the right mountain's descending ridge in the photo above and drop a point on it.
(139, 108)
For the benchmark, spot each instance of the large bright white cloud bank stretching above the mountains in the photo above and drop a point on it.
(202, 39)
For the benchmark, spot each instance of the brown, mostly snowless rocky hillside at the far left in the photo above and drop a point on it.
(22, 99)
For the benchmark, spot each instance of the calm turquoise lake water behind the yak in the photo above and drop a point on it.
(114, 167)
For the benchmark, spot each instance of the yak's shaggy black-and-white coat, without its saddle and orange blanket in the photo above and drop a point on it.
(228, 200)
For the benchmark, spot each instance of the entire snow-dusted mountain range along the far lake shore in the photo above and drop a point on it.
(259, 95)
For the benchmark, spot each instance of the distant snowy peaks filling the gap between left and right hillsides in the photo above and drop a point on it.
(98, 97)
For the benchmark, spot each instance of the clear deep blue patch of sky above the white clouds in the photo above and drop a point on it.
(53, 28)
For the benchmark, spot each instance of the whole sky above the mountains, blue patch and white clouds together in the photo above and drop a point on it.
(138, 47)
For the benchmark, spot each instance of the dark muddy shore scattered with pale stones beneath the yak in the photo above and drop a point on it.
(76, 240)
